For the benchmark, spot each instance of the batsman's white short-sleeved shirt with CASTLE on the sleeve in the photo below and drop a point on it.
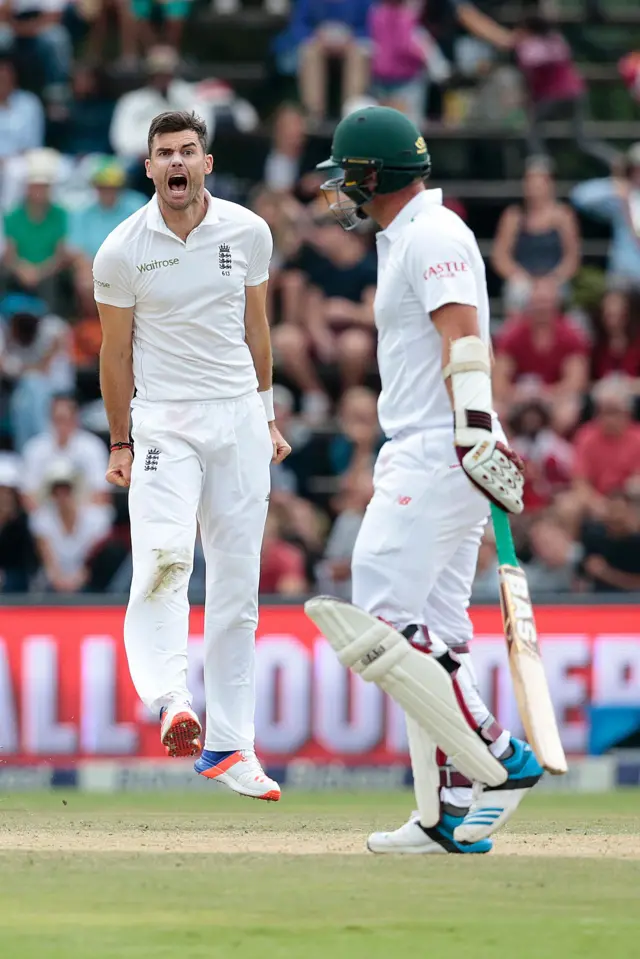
(427, 257)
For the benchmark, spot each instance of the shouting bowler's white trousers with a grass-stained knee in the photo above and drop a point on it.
(205, 463)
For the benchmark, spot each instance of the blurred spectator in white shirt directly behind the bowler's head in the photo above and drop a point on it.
(163, 91)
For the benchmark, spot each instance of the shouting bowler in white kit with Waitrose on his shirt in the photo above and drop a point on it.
(181, 289)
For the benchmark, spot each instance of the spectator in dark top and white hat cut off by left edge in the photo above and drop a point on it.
(17, 551)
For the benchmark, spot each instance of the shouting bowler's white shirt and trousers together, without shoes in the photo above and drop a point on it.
(202, 453)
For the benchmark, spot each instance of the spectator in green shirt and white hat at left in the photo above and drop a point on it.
(36, 253)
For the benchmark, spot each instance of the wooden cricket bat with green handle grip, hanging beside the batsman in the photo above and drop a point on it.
(527, 671)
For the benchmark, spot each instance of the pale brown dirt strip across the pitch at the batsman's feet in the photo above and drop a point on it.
(255, 842)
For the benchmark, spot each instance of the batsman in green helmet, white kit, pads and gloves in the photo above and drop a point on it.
(445, 460)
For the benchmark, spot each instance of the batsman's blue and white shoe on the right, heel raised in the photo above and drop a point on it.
(492, 807)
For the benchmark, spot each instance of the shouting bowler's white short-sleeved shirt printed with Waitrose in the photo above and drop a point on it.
(188, 299)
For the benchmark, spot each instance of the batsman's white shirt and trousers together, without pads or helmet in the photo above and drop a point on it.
(416, 553)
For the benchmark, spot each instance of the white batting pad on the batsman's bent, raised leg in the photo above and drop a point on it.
(416, 681)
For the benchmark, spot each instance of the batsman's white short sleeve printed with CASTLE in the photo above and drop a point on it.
(441, 274)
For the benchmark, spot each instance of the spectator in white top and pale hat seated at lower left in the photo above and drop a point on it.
(67, 531)
